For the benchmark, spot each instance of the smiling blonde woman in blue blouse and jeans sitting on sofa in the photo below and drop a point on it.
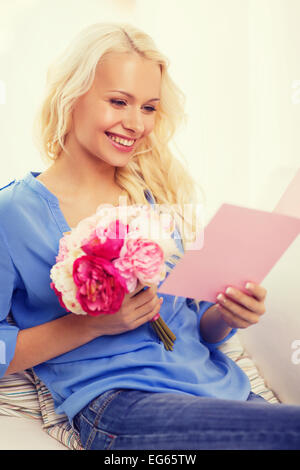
(108, 115)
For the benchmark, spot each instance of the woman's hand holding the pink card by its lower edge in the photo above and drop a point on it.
(240, 310)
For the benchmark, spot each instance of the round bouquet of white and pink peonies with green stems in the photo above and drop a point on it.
(105, 256)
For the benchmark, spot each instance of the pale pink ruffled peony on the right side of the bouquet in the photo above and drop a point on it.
(142, 259)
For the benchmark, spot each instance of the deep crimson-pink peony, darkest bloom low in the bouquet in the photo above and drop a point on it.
(100, 288)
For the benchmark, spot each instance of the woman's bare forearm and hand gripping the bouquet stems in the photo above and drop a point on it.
(71, 331)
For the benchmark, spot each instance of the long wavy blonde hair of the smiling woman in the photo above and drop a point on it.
(153, 167)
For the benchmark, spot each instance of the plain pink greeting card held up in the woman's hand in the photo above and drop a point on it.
(240, 245)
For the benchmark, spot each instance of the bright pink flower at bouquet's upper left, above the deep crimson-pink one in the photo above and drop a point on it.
(110, 248)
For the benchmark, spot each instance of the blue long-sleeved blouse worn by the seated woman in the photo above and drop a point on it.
(31, 225)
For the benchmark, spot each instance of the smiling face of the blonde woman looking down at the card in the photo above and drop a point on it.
(102, 112)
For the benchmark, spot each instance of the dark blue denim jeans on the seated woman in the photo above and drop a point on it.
(131, 419)
